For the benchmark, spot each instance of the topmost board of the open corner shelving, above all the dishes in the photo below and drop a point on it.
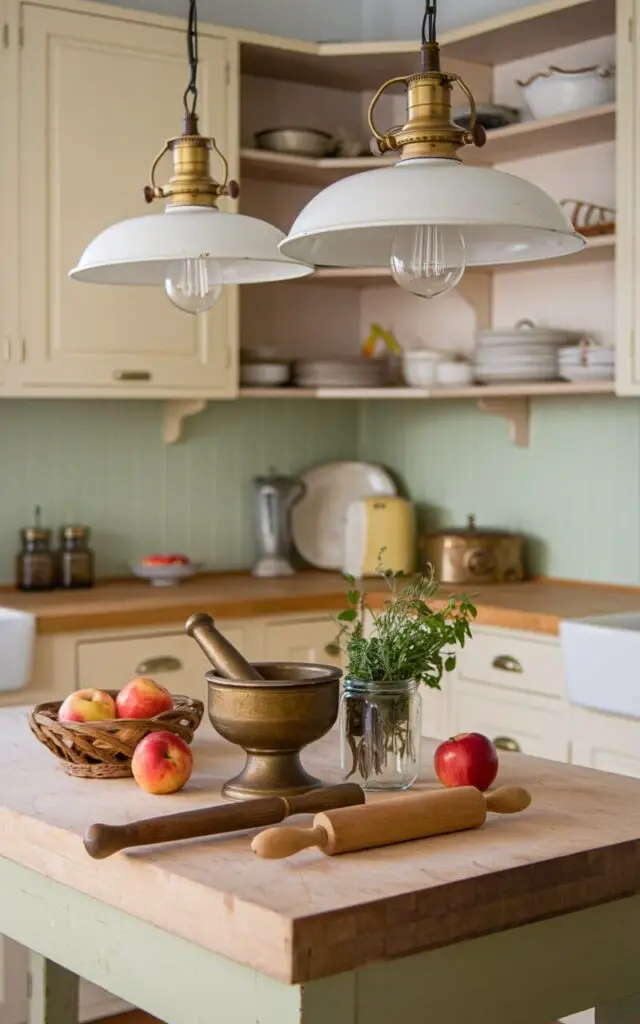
(507, 37)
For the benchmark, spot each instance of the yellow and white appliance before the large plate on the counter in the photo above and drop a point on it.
(374, 524)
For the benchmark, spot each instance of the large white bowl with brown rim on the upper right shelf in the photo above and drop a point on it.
(557, 92)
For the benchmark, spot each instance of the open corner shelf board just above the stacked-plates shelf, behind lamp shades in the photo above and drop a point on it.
(602, 248)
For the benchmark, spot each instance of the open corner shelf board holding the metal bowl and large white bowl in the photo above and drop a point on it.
(529, 139)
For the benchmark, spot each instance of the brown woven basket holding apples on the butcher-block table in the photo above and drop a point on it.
(104, 750)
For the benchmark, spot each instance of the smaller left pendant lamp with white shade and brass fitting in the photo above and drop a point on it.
(192, 249)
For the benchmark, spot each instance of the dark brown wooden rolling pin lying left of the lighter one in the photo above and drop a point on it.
(101, 841)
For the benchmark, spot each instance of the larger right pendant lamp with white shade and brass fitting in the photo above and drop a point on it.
(430, 217)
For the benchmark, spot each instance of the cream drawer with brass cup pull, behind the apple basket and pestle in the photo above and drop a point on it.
(172, 659)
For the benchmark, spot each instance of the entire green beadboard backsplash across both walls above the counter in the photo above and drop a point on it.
(575, 492)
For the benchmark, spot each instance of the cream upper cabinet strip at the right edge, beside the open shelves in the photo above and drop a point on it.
(628, 199)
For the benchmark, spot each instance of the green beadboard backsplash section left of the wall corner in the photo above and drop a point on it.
(105, 463)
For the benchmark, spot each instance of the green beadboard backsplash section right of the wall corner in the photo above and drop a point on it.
(575, 492)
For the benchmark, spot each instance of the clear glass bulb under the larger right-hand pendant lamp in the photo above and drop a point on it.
(429, 261)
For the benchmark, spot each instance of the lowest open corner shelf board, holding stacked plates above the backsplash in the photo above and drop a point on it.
(479, 392)
